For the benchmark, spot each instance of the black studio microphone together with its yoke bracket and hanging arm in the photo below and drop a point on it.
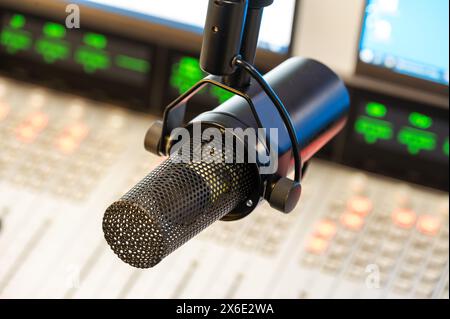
(146, 224)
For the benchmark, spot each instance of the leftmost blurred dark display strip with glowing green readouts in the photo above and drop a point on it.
(89, 52)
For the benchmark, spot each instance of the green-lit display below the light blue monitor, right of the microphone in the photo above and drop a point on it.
(412, 133)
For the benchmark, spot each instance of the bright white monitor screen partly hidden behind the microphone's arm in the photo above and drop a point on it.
(276, 30)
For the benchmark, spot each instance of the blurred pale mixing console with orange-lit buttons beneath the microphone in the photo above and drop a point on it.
(63, 160)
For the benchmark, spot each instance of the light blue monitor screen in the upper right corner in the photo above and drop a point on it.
(408, 37)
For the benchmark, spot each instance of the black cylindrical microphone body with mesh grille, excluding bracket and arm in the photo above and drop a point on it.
(182, 196)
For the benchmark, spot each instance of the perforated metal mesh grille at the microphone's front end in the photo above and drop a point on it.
(174, 203)
